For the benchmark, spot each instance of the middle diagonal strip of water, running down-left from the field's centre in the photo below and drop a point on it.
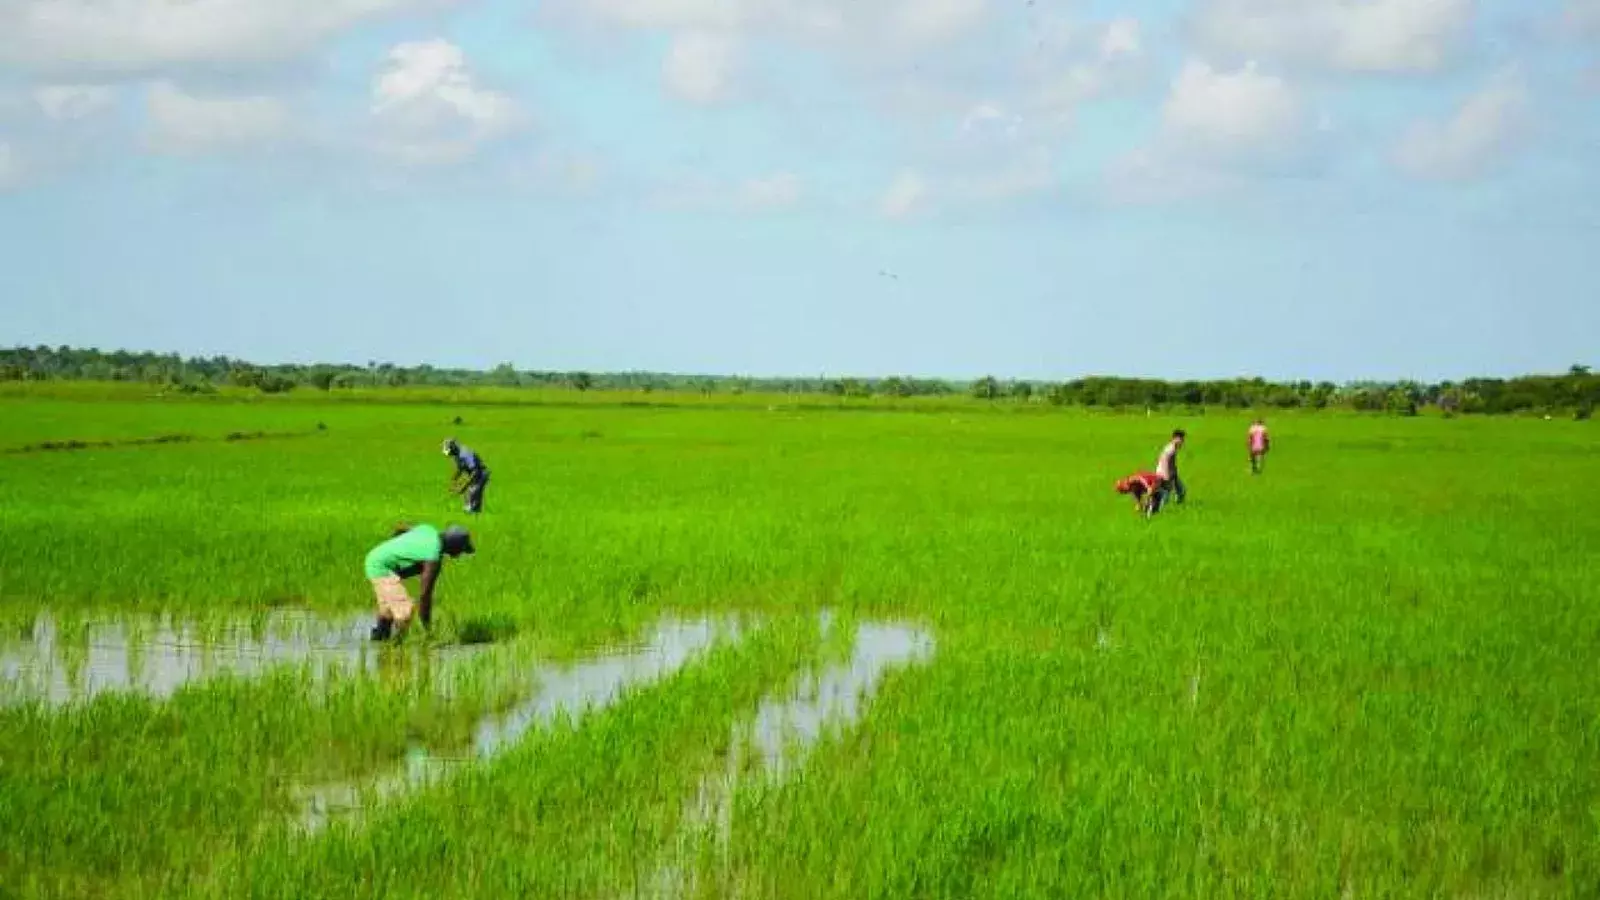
(556, 691)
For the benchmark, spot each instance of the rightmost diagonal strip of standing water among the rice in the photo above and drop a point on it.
(777, 742)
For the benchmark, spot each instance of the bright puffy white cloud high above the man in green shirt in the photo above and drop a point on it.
(430, 108)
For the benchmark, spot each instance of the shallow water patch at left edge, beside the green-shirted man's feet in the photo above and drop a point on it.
(159, 656)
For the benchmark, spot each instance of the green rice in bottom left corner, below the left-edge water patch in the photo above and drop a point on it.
(134, 795)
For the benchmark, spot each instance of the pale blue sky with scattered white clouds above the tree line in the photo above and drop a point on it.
(940, 188)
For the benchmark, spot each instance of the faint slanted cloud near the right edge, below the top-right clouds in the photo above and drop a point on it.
(1481, 135)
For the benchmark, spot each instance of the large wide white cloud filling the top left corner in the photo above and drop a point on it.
(150, 36)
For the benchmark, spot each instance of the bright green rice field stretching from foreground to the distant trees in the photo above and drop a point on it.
(1369, 673)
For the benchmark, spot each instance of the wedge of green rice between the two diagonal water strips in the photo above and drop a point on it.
(567, 811)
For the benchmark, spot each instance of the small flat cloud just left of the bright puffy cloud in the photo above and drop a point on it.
(182, 123)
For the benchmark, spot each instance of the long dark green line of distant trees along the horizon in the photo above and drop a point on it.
(1574, 392)
